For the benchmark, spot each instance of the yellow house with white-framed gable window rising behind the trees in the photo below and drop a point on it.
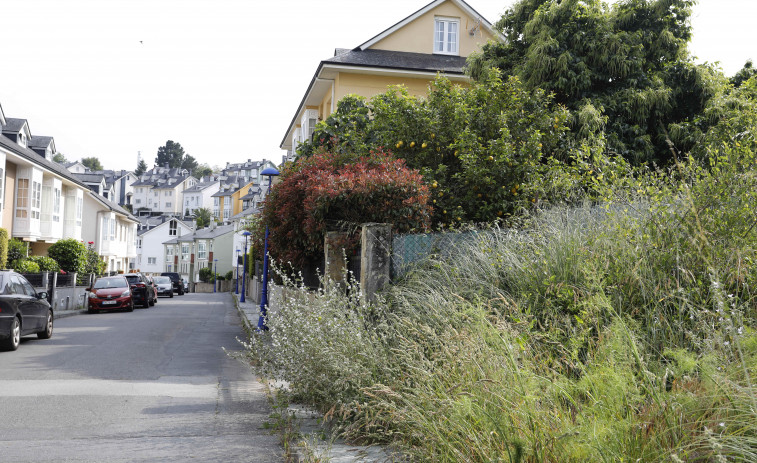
(435, 39)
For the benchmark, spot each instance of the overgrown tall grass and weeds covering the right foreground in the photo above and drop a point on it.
(619, 332)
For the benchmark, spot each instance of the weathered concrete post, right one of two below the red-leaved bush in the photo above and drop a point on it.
(375, 257)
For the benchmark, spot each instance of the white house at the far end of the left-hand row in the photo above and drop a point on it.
(112, 230)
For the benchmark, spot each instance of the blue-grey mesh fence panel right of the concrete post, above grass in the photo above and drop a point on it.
(408, 250)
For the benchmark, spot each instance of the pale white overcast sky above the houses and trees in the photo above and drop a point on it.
(112, 78)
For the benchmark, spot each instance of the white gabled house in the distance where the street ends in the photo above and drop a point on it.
(151, 254)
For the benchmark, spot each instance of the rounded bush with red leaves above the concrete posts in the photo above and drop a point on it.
(323, 192)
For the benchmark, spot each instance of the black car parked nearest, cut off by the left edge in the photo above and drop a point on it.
(23, 311)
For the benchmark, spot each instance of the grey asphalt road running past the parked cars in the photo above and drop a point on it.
(152, 385)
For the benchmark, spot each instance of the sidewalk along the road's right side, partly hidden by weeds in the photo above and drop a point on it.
(310, 429)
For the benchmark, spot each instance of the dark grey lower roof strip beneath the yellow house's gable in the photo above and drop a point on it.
(449, 64)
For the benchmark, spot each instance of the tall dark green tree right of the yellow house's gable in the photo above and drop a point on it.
(628, 62)
